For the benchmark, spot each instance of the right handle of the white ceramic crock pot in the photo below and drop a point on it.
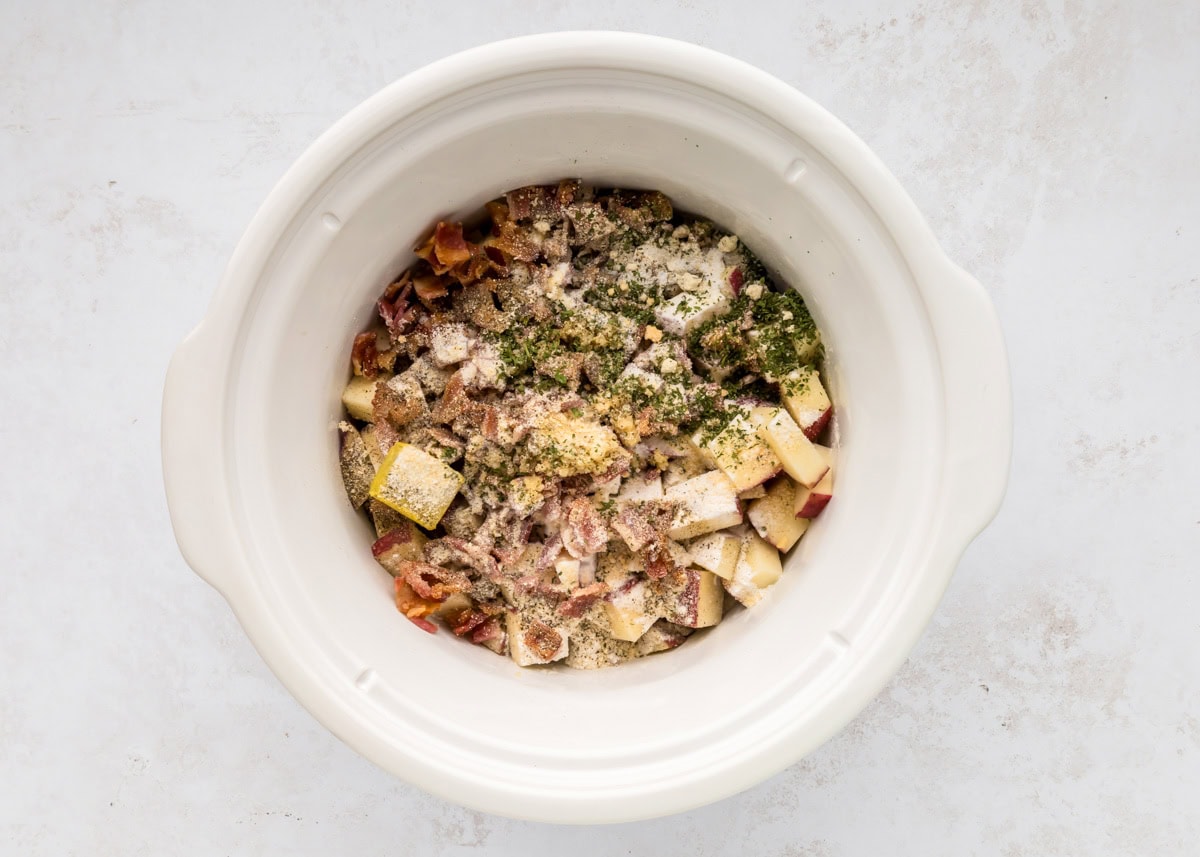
(980, 404)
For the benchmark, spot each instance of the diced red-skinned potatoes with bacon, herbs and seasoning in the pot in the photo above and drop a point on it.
(585, 427)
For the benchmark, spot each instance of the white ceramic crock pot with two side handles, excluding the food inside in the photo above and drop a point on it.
(917, 367)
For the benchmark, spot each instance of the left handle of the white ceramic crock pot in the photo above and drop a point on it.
(193, 475)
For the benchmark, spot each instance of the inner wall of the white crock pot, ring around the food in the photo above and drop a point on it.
(310, 552)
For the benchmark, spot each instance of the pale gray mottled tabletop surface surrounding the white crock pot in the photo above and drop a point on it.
(1052, 709)
